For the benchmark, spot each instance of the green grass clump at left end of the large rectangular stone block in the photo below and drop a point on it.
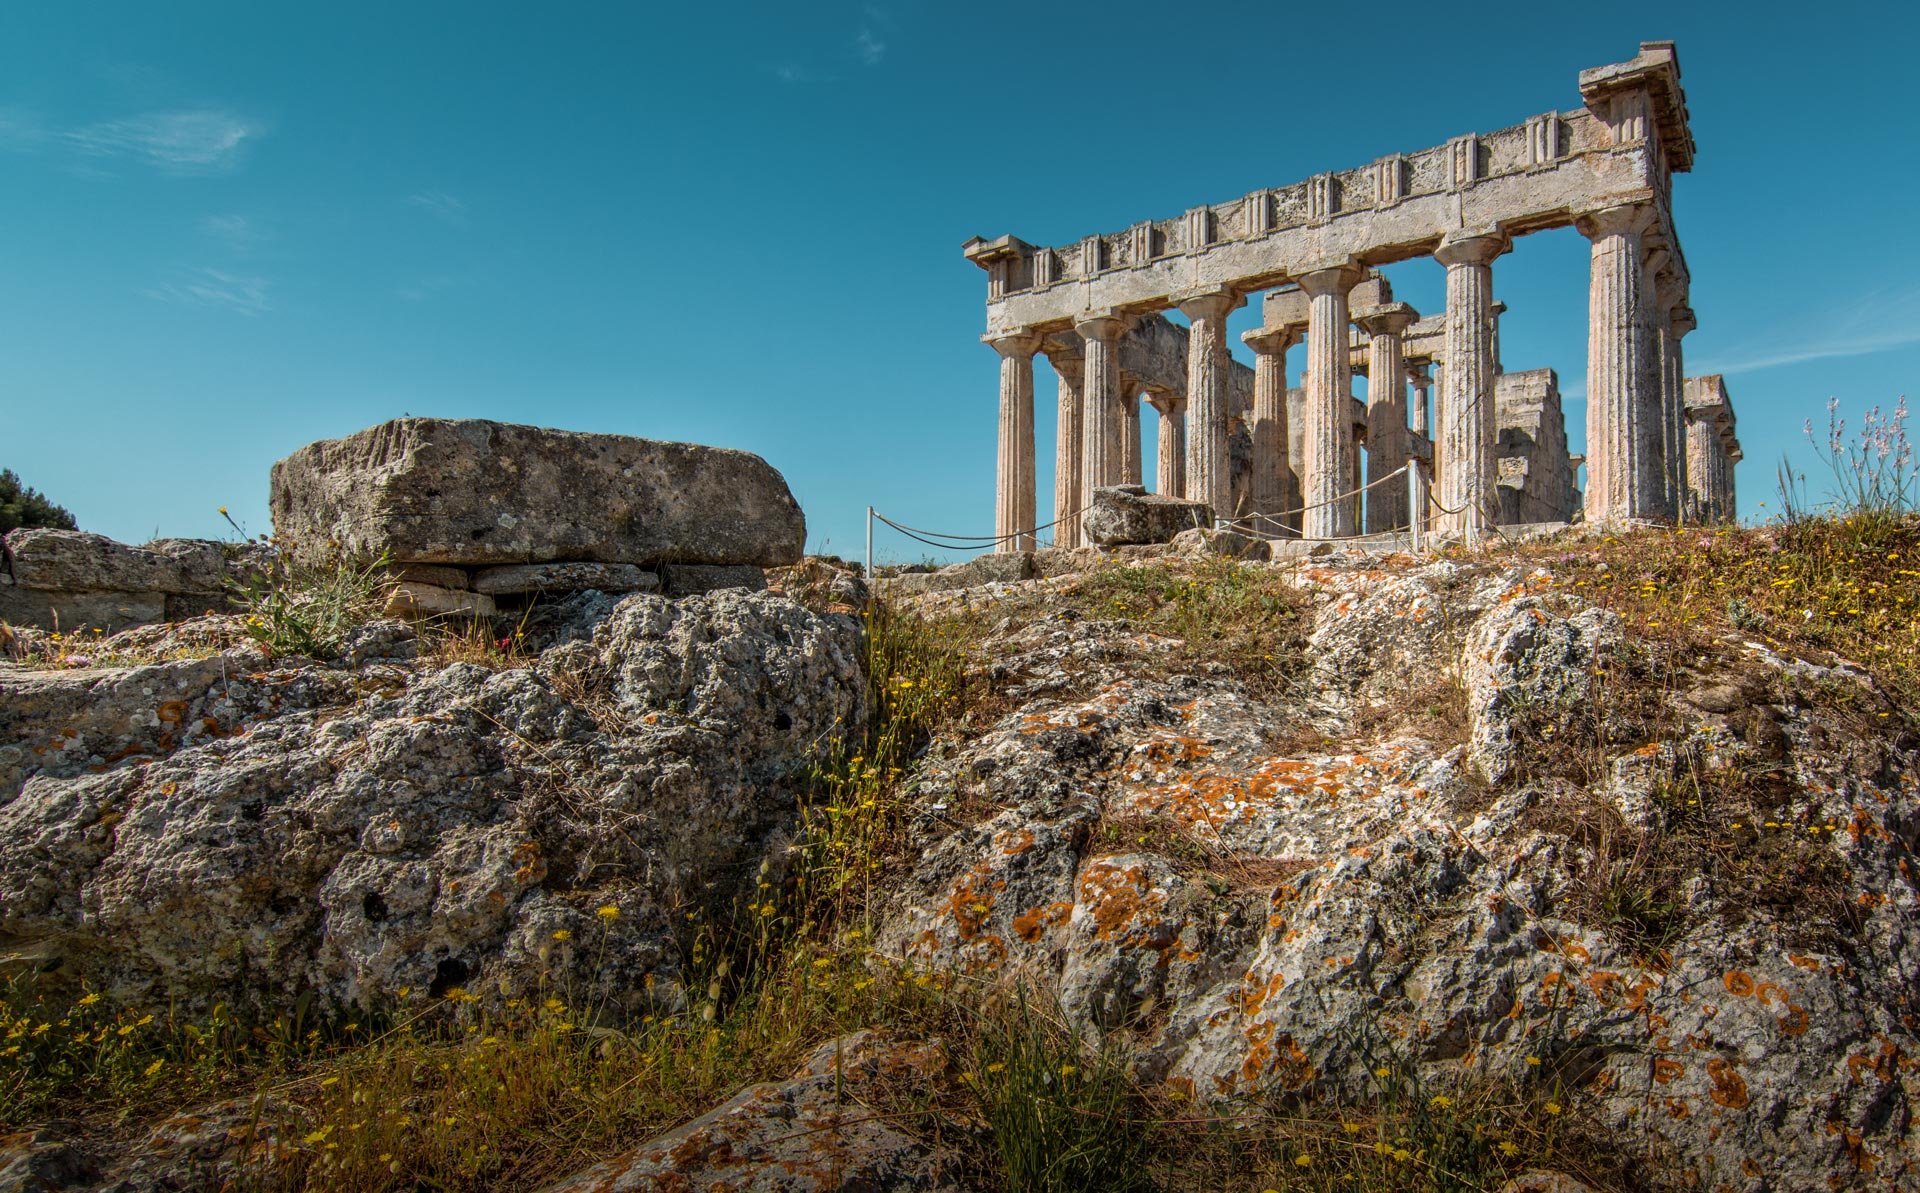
(310, 606)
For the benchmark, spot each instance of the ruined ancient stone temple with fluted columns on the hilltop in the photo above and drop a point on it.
(1443, 437)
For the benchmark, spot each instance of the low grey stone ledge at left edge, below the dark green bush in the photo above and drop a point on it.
(70, 579)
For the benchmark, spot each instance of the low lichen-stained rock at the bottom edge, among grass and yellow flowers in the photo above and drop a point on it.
(811, 1134)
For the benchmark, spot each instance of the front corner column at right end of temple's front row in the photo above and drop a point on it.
(1623, 422)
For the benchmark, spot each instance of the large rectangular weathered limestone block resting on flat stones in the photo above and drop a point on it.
(477, 493)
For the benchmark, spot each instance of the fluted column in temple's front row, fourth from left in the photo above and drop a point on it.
(1330, 408)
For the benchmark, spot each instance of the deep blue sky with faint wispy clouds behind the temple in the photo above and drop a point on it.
(229, 230)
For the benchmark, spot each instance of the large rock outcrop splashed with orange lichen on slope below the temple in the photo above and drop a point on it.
(1282, 896)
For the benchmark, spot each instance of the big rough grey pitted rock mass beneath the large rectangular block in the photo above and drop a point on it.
(226, 831)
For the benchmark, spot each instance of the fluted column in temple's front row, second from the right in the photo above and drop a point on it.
(1468, 431)
